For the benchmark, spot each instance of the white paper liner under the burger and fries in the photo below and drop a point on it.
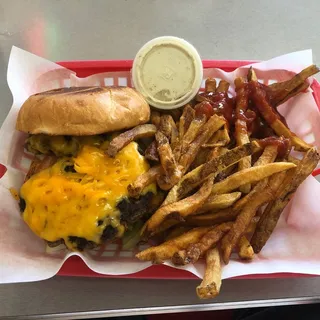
(293, 247)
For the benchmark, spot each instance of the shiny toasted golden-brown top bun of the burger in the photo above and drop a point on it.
(82, 111)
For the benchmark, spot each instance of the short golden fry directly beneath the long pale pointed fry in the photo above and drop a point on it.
(220, 201)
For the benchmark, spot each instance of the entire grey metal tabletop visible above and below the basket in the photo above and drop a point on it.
(226, 29)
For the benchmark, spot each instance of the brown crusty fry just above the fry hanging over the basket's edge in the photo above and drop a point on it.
(196, 250)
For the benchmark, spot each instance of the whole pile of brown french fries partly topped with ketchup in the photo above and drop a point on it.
(226, 182)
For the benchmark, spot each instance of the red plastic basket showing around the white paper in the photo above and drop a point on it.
(74, 266)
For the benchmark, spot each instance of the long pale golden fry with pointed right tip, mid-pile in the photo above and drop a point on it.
(250, 175)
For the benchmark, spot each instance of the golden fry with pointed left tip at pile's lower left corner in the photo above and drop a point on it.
(166, 250)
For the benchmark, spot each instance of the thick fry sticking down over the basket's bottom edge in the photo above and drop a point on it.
(211, 283)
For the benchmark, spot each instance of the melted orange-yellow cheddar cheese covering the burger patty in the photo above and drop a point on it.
(61, 204)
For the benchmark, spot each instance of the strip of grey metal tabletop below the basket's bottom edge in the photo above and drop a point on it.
(73, 298)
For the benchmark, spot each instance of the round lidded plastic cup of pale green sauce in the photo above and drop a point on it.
(168, 72)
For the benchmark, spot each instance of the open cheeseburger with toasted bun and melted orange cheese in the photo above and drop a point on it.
(74, 193)
